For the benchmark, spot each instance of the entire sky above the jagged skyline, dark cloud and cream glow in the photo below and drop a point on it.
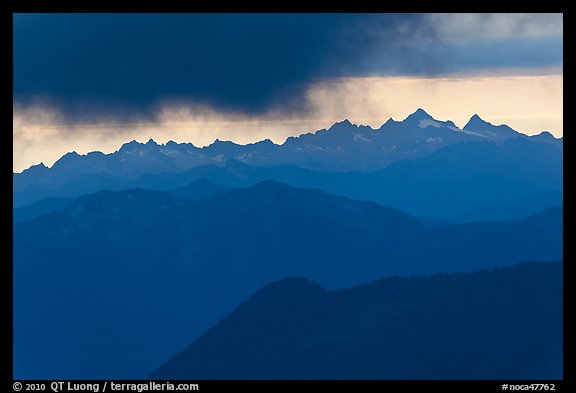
(85, 82)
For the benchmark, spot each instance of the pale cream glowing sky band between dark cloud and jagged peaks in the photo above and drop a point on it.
(528, 103)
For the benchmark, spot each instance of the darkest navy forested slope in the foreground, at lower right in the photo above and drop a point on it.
(499, 324)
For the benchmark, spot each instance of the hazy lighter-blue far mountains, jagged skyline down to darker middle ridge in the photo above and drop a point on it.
(456, 169)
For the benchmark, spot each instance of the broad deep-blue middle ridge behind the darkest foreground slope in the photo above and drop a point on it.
(118, 282)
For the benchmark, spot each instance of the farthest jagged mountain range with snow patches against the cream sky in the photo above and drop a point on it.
(344, 146)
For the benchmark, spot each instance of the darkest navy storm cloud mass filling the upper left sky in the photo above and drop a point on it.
(236, 61)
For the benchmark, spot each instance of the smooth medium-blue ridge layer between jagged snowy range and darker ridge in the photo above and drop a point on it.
(451, 180)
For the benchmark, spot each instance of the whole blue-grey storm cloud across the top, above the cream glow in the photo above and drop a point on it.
(92, 64)
